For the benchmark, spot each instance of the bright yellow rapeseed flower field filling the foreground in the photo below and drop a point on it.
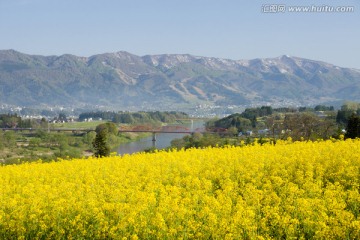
(300, 190)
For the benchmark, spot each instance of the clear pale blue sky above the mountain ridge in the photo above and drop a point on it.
(232, 29)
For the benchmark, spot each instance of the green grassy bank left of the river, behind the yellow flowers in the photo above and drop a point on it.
(20, 147)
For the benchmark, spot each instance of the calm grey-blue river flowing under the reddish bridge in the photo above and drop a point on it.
(163, 140)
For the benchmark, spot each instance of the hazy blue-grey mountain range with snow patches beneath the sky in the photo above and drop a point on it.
(123, 80)
